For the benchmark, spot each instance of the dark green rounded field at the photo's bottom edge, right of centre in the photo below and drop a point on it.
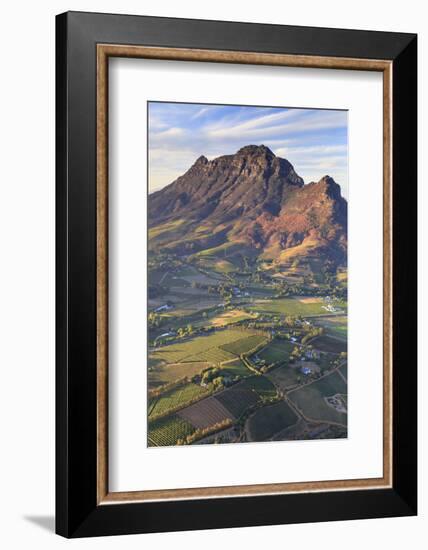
(268, 421)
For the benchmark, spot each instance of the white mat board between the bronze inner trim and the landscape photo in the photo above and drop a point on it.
(132, 83)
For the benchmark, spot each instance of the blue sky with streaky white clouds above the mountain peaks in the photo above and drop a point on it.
(313, 140)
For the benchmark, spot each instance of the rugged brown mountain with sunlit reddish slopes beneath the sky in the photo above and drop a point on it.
(252, 198)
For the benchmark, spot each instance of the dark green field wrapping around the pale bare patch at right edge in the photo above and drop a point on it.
(310, 399)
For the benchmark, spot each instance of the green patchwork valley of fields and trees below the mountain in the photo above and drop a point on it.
(244, 356)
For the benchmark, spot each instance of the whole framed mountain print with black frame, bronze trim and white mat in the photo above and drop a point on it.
(236, 274)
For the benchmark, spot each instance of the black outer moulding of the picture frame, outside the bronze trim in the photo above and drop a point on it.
(77, 511)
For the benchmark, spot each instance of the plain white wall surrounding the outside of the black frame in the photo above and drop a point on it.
(27, 273)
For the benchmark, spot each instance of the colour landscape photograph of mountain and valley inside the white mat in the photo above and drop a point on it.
(247, 273)
